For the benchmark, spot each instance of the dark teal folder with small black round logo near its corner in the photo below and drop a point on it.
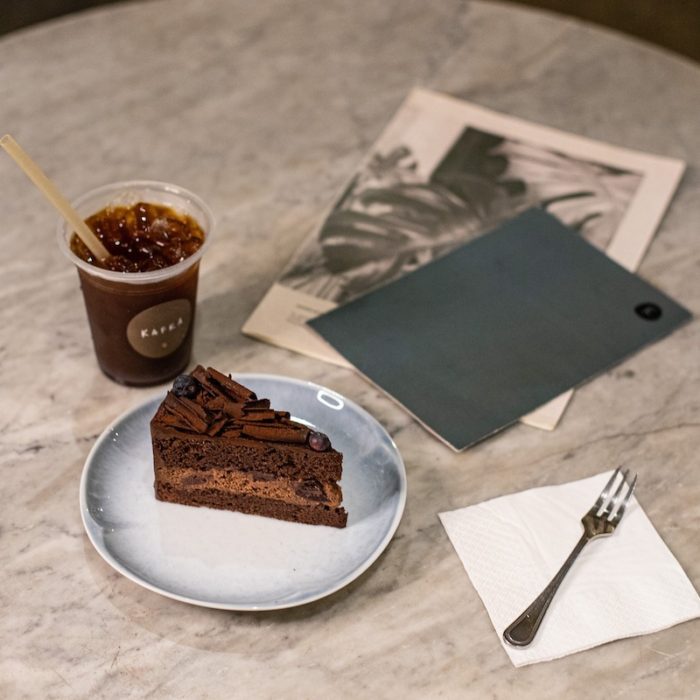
(488, 333)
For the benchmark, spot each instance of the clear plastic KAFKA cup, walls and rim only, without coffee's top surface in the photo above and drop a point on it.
(141, 322)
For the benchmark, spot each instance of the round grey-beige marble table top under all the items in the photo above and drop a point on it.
(264, 109)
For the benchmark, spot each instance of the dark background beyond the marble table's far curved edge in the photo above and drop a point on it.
(674, 24)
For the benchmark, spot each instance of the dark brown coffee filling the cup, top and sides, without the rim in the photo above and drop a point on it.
(142, 333)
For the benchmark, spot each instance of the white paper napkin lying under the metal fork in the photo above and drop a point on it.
(620, 586)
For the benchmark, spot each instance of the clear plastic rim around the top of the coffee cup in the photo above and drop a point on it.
(138, 277)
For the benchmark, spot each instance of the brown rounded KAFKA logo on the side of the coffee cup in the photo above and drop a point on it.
(160, 330)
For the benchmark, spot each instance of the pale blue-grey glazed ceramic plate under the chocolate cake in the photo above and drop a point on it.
(233, 561)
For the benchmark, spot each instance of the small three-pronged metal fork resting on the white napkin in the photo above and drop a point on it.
(599, 521)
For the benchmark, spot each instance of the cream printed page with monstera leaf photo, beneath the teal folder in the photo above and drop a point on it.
(443, 172)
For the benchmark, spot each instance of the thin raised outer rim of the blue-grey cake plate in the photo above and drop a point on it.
(239, 607)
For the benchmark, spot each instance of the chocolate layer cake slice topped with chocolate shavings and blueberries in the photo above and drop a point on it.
(216, 444)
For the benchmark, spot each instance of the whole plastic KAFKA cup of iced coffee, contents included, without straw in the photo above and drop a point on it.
(141, 299)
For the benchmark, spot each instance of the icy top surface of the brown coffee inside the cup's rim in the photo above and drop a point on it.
(141, 237)
